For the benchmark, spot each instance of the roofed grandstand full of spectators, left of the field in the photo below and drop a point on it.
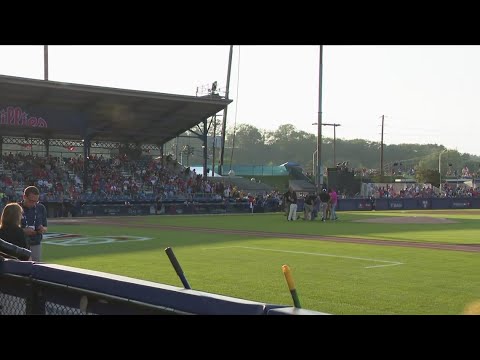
(87, 145)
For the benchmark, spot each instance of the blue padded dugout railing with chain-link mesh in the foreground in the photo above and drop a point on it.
(29, 288)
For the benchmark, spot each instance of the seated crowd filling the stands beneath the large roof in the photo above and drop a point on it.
(116, 179)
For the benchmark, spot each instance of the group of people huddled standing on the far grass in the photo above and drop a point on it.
(324, 203)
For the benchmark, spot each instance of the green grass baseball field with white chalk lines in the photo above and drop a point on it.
(332, 277)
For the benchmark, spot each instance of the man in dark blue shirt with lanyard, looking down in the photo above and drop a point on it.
(34, 221)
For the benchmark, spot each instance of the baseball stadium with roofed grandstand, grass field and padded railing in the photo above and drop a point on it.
(132, 230)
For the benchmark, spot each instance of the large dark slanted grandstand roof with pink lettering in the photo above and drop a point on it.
(103, 113)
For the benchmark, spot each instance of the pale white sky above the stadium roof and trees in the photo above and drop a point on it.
(427, 94)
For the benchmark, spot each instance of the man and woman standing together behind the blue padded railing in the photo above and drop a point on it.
(22, 225)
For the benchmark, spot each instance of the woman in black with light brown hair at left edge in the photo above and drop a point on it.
(10, 228)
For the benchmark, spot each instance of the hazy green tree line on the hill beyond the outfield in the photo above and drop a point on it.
(248, 145)
